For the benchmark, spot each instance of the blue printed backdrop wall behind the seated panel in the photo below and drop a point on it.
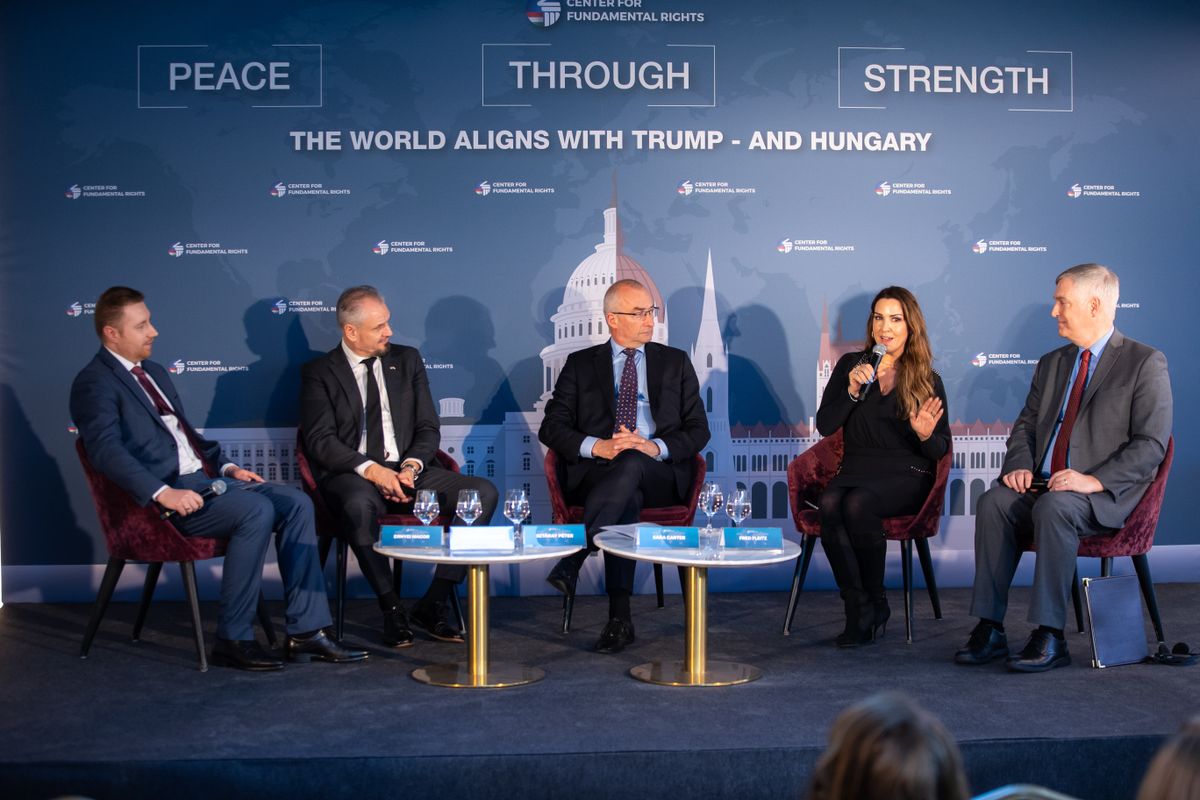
(243, 164)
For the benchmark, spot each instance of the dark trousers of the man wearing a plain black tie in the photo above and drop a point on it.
(358, 507)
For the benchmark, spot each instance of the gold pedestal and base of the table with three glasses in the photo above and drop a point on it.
(478, 673)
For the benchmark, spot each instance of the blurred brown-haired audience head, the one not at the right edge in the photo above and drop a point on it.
(889, 749)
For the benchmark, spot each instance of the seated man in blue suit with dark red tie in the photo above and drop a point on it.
(133, 424)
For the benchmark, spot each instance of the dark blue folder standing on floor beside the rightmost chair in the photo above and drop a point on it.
(1114, 621)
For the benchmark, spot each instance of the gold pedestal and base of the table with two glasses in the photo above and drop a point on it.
(697, 670)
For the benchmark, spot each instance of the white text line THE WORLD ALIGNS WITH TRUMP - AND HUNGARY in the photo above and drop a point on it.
(608, 140)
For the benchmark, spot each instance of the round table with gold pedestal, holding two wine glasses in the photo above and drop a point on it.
(695, 670)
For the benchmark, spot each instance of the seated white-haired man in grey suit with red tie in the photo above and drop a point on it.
(1083, 452)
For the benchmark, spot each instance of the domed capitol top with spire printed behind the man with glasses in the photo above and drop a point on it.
(579, 323)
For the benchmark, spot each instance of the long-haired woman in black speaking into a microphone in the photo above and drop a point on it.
(891, 407)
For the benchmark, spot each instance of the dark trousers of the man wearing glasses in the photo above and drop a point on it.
(614, 494)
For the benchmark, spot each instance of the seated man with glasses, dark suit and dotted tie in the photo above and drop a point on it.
(627, 422)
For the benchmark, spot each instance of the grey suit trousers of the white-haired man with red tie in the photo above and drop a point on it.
(1058, 520)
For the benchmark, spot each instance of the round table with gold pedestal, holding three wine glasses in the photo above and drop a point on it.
(478, 672)
